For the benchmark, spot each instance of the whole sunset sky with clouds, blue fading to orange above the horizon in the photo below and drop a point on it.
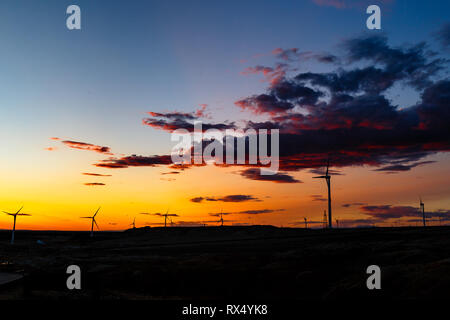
(76, 102)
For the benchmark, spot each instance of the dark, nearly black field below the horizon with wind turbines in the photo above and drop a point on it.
(228, 263)
